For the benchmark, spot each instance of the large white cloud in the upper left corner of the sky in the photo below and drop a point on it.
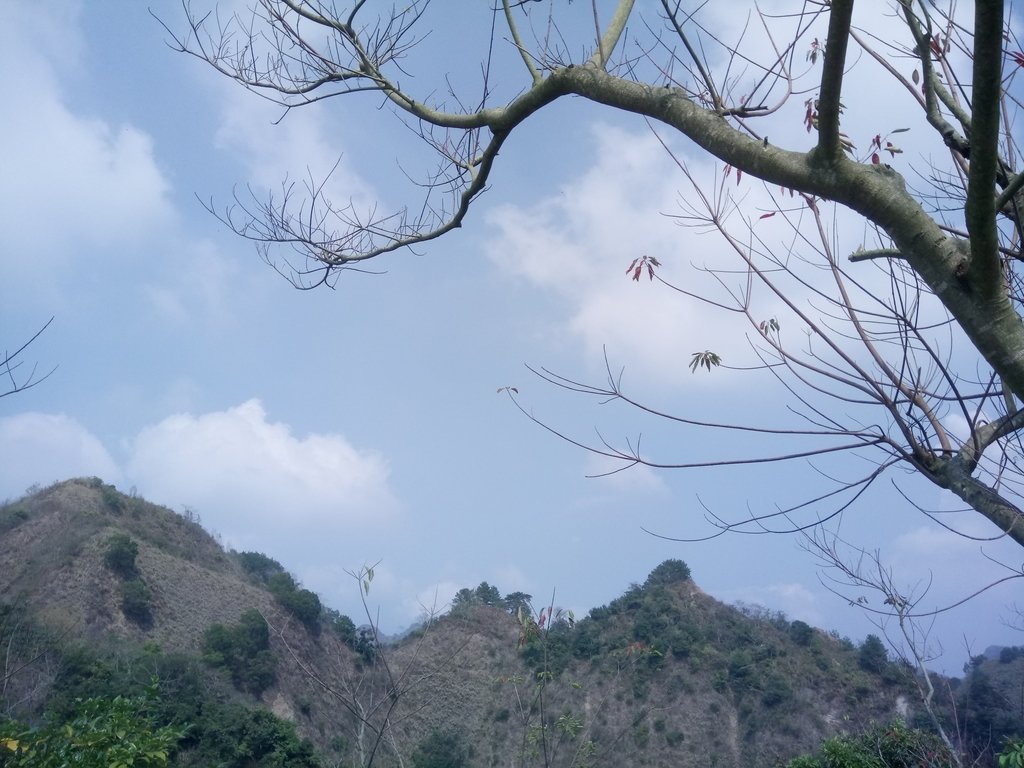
(70, 181)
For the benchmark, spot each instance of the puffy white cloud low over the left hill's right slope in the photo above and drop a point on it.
(245, 472)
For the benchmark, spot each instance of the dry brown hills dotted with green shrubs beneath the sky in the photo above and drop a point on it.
(664, 675)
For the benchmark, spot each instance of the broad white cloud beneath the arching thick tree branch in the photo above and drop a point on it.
(580, 242)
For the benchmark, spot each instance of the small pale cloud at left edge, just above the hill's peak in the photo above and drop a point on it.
(44, 448)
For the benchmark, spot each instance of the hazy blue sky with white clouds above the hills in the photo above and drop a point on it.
(363, 424)
